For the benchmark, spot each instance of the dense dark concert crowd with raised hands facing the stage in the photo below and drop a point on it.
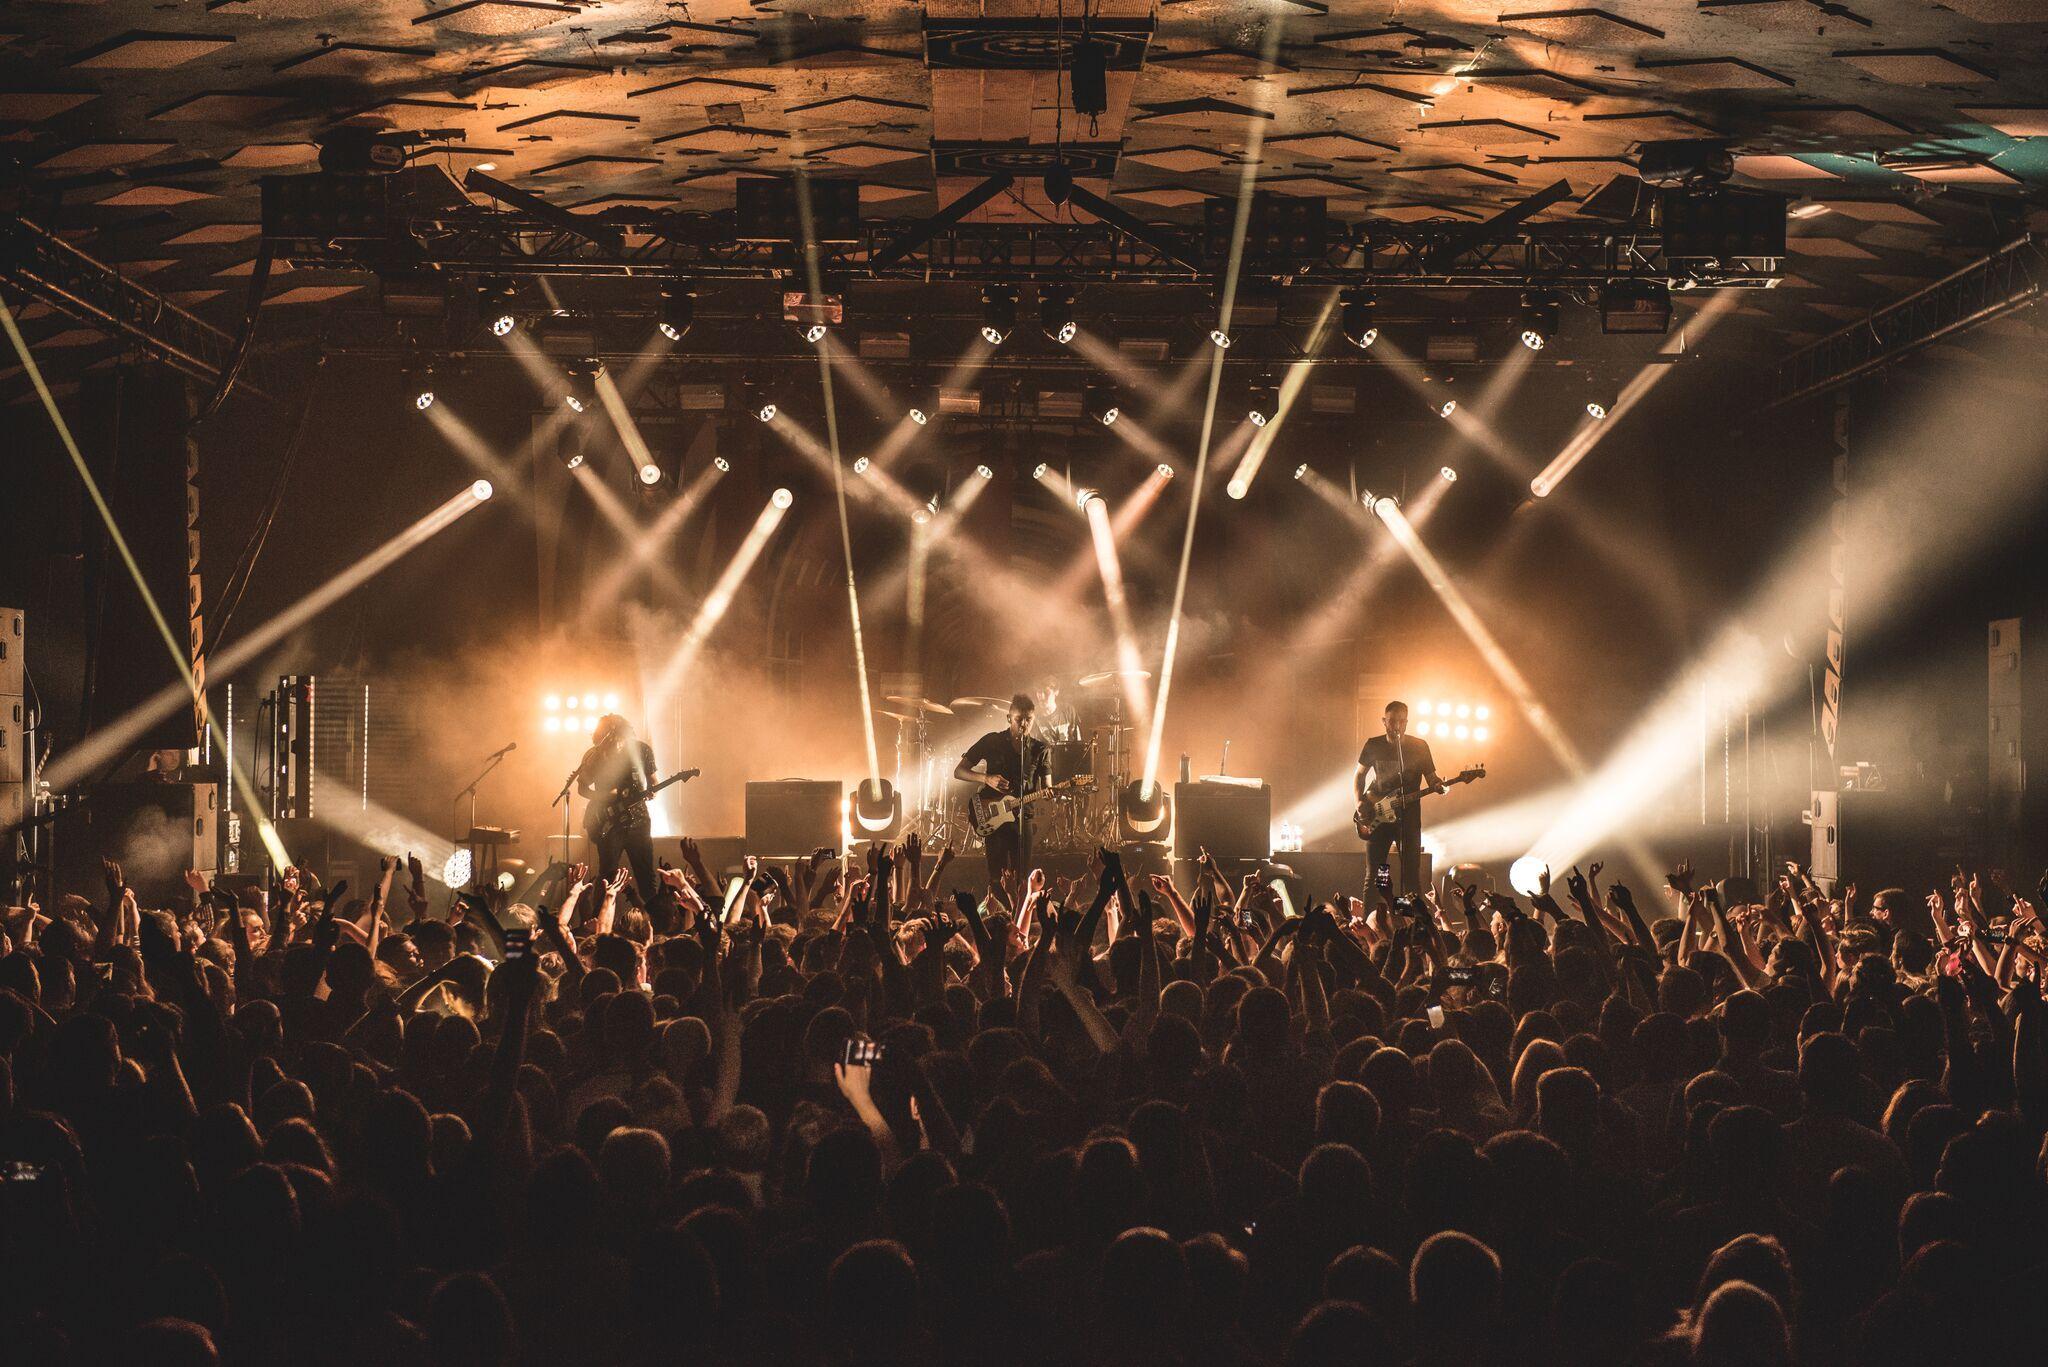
(835, 1114)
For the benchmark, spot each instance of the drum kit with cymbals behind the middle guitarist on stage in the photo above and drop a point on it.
(1091, 751)
